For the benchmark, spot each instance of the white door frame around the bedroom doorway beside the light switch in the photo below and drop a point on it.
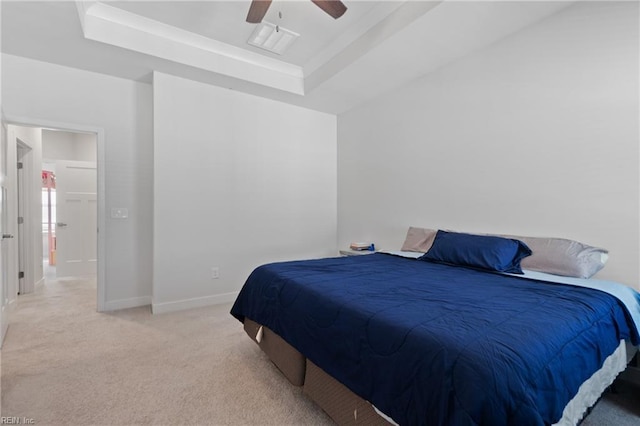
(100, 160)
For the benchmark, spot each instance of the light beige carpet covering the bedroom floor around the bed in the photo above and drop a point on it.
(65, 364)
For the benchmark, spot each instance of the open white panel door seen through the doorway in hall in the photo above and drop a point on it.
(76, 226)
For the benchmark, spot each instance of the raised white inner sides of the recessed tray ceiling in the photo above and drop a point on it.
(118, 27)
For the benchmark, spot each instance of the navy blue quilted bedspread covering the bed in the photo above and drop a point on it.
(434, 344)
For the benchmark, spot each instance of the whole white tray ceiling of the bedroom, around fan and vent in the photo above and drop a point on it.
(333, 66)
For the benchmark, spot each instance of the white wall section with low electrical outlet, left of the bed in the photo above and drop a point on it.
(238, 181)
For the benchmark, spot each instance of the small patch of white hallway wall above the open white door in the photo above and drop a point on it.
(60, 145)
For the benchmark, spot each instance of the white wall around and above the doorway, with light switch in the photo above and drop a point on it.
(123, 108)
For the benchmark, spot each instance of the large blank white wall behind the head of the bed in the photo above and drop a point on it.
(535, 135)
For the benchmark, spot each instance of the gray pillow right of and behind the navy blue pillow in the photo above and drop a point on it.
(564, 257)
